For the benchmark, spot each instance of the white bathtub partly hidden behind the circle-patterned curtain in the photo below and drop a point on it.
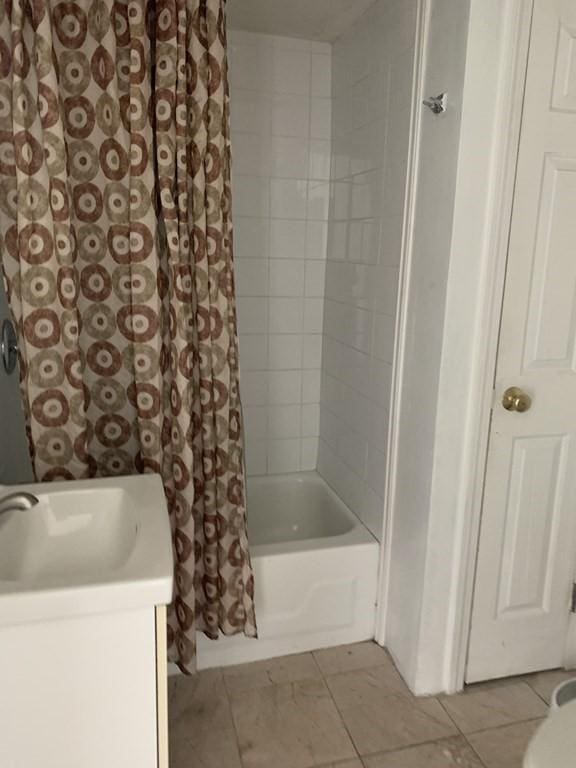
(316, 569)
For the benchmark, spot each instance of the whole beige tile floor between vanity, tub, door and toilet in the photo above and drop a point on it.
(348, 707)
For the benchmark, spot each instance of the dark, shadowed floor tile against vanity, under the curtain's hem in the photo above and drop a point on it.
(196, 705)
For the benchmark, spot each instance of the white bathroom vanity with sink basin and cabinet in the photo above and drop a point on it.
(85, 576)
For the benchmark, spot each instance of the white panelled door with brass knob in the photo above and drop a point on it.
(527, 552)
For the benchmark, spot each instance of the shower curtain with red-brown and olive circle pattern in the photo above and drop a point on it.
(116, 244)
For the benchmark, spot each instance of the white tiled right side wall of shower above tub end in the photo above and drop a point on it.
(372, 95)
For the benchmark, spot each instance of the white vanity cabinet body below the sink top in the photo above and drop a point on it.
(85, 692)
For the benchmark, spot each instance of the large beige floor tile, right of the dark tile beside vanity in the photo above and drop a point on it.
(290, 726)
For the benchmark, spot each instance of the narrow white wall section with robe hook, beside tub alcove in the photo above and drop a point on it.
(421, 568)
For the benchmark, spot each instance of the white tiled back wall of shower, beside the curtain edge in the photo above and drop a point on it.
(281, 124)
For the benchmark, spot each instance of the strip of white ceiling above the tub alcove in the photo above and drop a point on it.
(312, 19)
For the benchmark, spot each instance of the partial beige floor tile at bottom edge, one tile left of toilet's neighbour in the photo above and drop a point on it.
(448, 753)
